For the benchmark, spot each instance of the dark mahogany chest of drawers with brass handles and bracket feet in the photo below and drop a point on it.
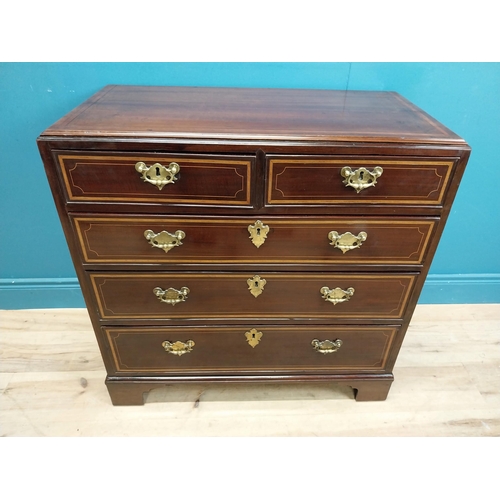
(250, 235)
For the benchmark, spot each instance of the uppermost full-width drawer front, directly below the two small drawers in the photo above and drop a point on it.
(174, 240)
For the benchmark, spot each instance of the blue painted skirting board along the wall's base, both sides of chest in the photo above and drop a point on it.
(48, 293)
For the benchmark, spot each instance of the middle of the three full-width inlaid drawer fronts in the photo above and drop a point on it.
(212, 296)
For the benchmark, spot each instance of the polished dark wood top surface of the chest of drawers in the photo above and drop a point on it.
(284, 114)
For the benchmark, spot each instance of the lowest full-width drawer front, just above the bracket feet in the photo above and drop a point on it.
(250, 349)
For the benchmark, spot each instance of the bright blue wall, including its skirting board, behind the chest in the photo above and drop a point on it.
(35, 266)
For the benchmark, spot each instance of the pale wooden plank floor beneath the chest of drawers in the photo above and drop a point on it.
(447, 383)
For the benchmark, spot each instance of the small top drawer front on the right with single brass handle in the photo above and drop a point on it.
(331, 181)
